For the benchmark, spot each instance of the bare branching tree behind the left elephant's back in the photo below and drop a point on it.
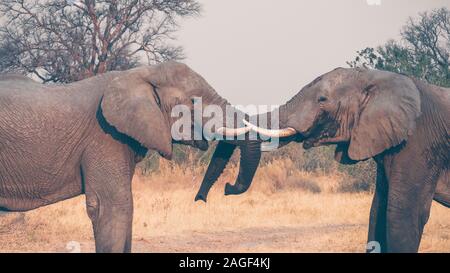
(69, 40)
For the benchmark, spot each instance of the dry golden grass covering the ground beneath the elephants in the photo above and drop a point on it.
(284, 211)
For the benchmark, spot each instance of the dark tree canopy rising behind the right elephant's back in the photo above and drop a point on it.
(423, 51)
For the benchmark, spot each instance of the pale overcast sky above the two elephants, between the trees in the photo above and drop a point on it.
(264, 51)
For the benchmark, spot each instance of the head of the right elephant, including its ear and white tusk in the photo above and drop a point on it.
(365, 112)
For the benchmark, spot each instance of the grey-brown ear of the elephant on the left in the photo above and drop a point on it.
(132, 106)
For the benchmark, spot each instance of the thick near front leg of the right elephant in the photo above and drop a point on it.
(410, 195)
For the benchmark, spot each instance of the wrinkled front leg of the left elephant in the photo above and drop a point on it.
(109, 200)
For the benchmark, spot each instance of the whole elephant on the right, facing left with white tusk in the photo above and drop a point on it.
(400, 122)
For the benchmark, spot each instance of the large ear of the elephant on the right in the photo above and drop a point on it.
(387, 117)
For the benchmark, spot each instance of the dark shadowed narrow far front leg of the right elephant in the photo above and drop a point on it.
(377, 222)
